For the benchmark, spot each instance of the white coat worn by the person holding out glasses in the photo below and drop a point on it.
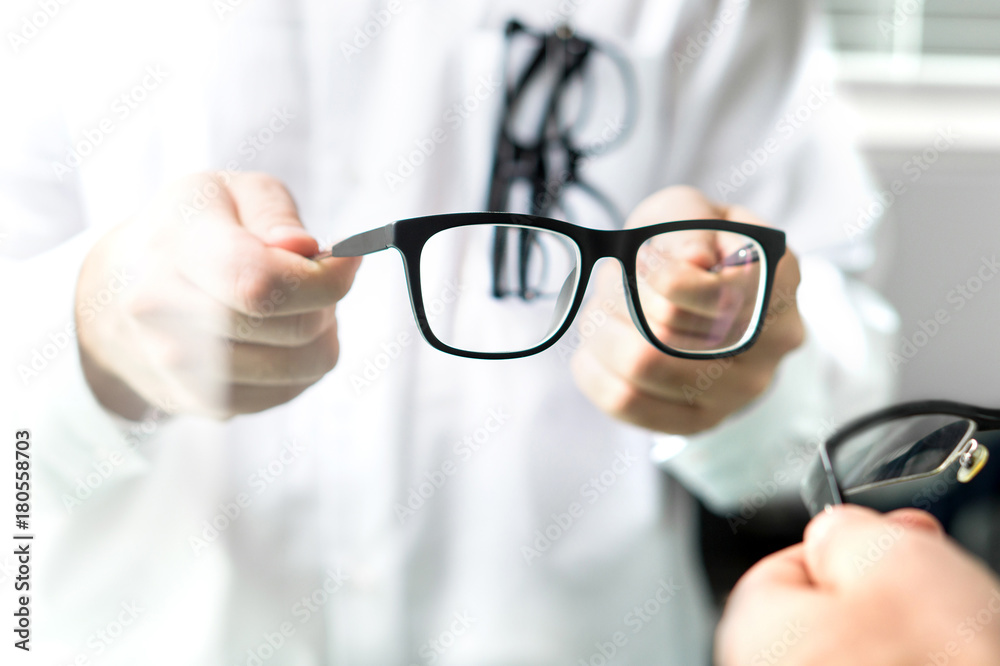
(412, 507)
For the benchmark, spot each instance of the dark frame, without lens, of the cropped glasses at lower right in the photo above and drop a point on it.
(984, 419)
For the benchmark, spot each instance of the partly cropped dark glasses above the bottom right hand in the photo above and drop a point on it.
(905, 443)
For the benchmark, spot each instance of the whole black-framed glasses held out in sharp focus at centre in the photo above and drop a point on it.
(709, 308)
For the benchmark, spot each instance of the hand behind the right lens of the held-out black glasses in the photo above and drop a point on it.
(628, 378)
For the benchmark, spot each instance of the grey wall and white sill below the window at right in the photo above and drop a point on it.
(940, 230)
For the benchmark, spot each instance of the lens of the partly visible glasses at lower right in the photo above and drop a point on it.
(900, 449)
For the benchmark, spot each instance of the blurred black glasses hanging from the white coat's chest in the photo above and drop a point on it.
(549, 127)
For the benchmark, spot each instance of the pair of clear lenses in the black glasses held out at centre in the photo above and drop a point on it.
(699, 290)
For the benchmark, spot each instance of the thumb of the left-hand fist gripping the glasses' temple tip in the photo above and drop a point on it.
(266, 209)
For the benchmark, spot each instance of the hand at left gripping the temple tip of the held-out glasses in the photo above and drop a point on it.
(221, 313)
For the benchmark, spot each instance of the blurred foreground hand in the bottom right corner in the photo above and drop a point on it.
(865, 589)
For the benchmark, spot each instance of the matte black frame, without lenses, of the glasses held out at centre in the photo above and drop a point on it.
(408, 237)
